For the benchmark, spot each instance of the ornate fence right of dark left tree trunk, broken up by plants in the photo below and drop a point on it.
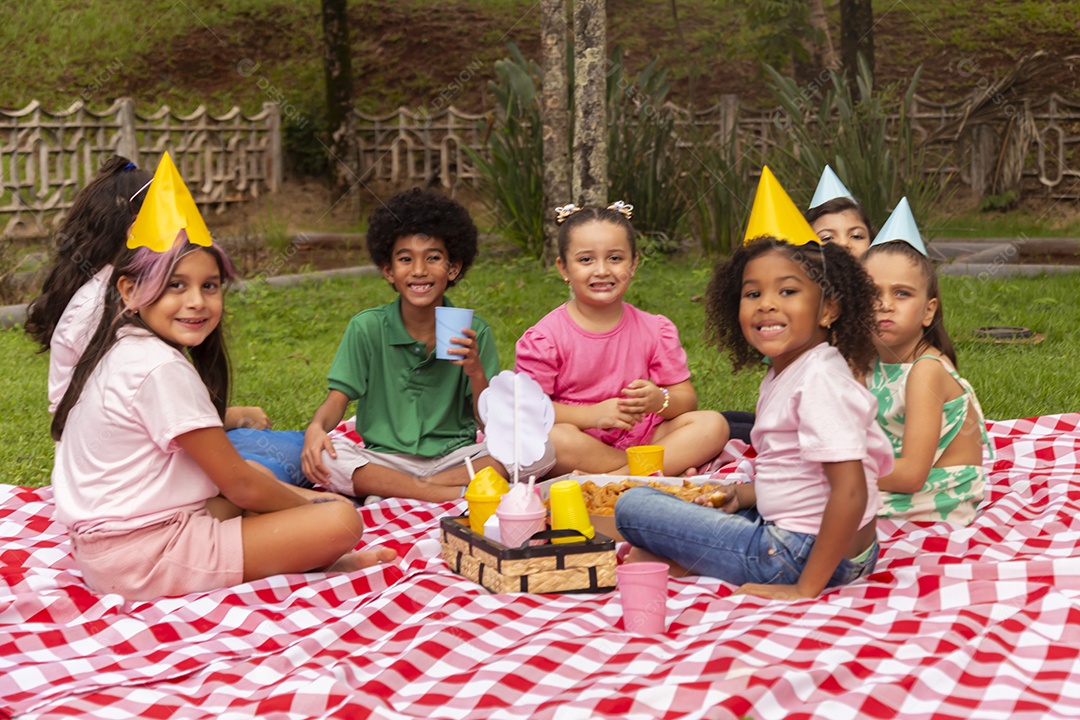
(408, 147)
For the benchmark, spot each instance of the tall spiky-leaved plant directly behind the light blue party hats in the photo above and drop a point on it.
(869, 140)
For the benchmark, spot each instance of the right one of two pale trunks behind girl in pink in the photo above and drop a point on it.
(590, 103)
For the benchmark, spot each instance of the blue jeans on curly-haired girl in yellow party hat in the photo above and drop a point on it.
(737, 549)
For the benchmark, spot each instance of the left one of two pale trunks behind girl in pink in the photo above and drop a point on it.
(556, 117)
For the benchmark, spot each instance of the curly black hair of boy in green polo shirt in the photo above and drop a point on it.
(418, 212)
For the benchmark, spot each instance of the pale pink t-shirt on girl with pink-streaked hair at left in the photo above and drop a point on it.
(118, 466)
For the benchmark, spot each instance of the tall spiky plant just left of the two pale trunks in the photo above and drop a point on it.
(511, 175)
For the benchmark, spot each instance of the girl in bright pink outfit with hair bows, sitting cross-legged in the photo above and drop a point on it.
(617, 375)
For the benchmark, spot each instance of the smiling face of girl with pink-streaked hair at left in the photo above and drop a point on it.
(191, 308)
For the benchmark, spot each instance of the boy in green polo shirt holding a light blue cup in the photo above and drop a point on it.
(417, 415)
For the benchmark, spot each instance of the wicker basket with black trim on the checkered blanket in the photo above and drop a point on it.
(585, 567)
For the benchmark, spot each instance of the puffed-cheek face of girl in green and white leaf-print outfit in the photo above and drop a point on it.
(906, 308)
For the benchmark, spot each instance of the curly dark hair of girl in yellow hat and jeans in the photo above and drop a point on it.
(836, 271)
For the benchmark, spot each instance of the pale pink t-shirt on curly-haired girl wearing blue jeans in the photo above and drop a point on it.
(815, 412)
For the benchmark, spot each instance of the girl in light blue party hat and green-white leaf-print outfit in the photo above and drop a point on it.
(927, 411)
